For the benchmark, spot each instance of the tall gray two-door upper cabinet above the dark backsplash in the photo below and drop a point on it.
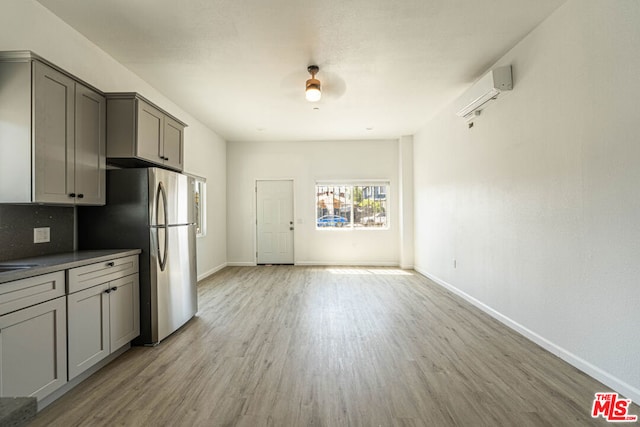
(52, 135)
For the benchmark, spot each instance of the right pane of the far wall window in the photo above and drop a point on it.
(370, 206)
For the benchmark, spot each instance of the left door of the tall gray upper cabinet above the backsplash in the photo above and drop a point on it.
(53, 135)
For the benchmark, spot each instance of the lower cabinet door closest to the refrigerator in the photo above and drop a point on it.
(124, 310)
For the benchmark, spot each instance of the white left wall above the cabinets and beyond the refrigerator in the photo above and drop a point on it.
(27, 25)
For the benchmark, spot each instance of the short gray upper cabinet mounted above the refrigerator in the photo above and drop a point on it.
(140, 134)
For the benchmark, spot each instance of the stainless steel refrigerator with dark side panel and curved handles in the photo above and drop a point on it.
(151, 209)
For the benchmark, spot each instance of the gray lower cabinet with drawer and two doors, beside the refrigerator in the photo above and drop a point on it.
(102, 317)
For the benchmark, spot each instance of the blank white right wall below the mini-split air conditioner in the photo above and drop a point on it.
(539, 201)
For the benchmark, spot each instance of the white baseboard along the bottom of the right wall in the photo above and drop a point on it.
(620, 386)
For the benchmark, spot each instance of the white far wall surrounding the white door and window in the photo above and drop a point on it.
(305, 163)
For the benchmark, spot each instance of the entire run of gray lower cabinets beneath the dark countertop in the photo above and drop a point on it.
(57, 325)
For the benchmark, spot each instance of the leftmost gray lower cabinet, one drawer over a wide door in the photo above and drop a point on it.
(33, 336)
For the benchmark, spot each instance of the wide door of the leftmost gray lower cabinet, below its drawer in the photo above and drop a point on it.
(33, 350)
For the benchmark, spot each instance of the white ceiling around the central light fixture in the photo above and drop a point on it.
(239, 66)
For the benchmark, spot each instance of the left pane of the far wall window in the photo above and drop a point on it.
(333, 206)
